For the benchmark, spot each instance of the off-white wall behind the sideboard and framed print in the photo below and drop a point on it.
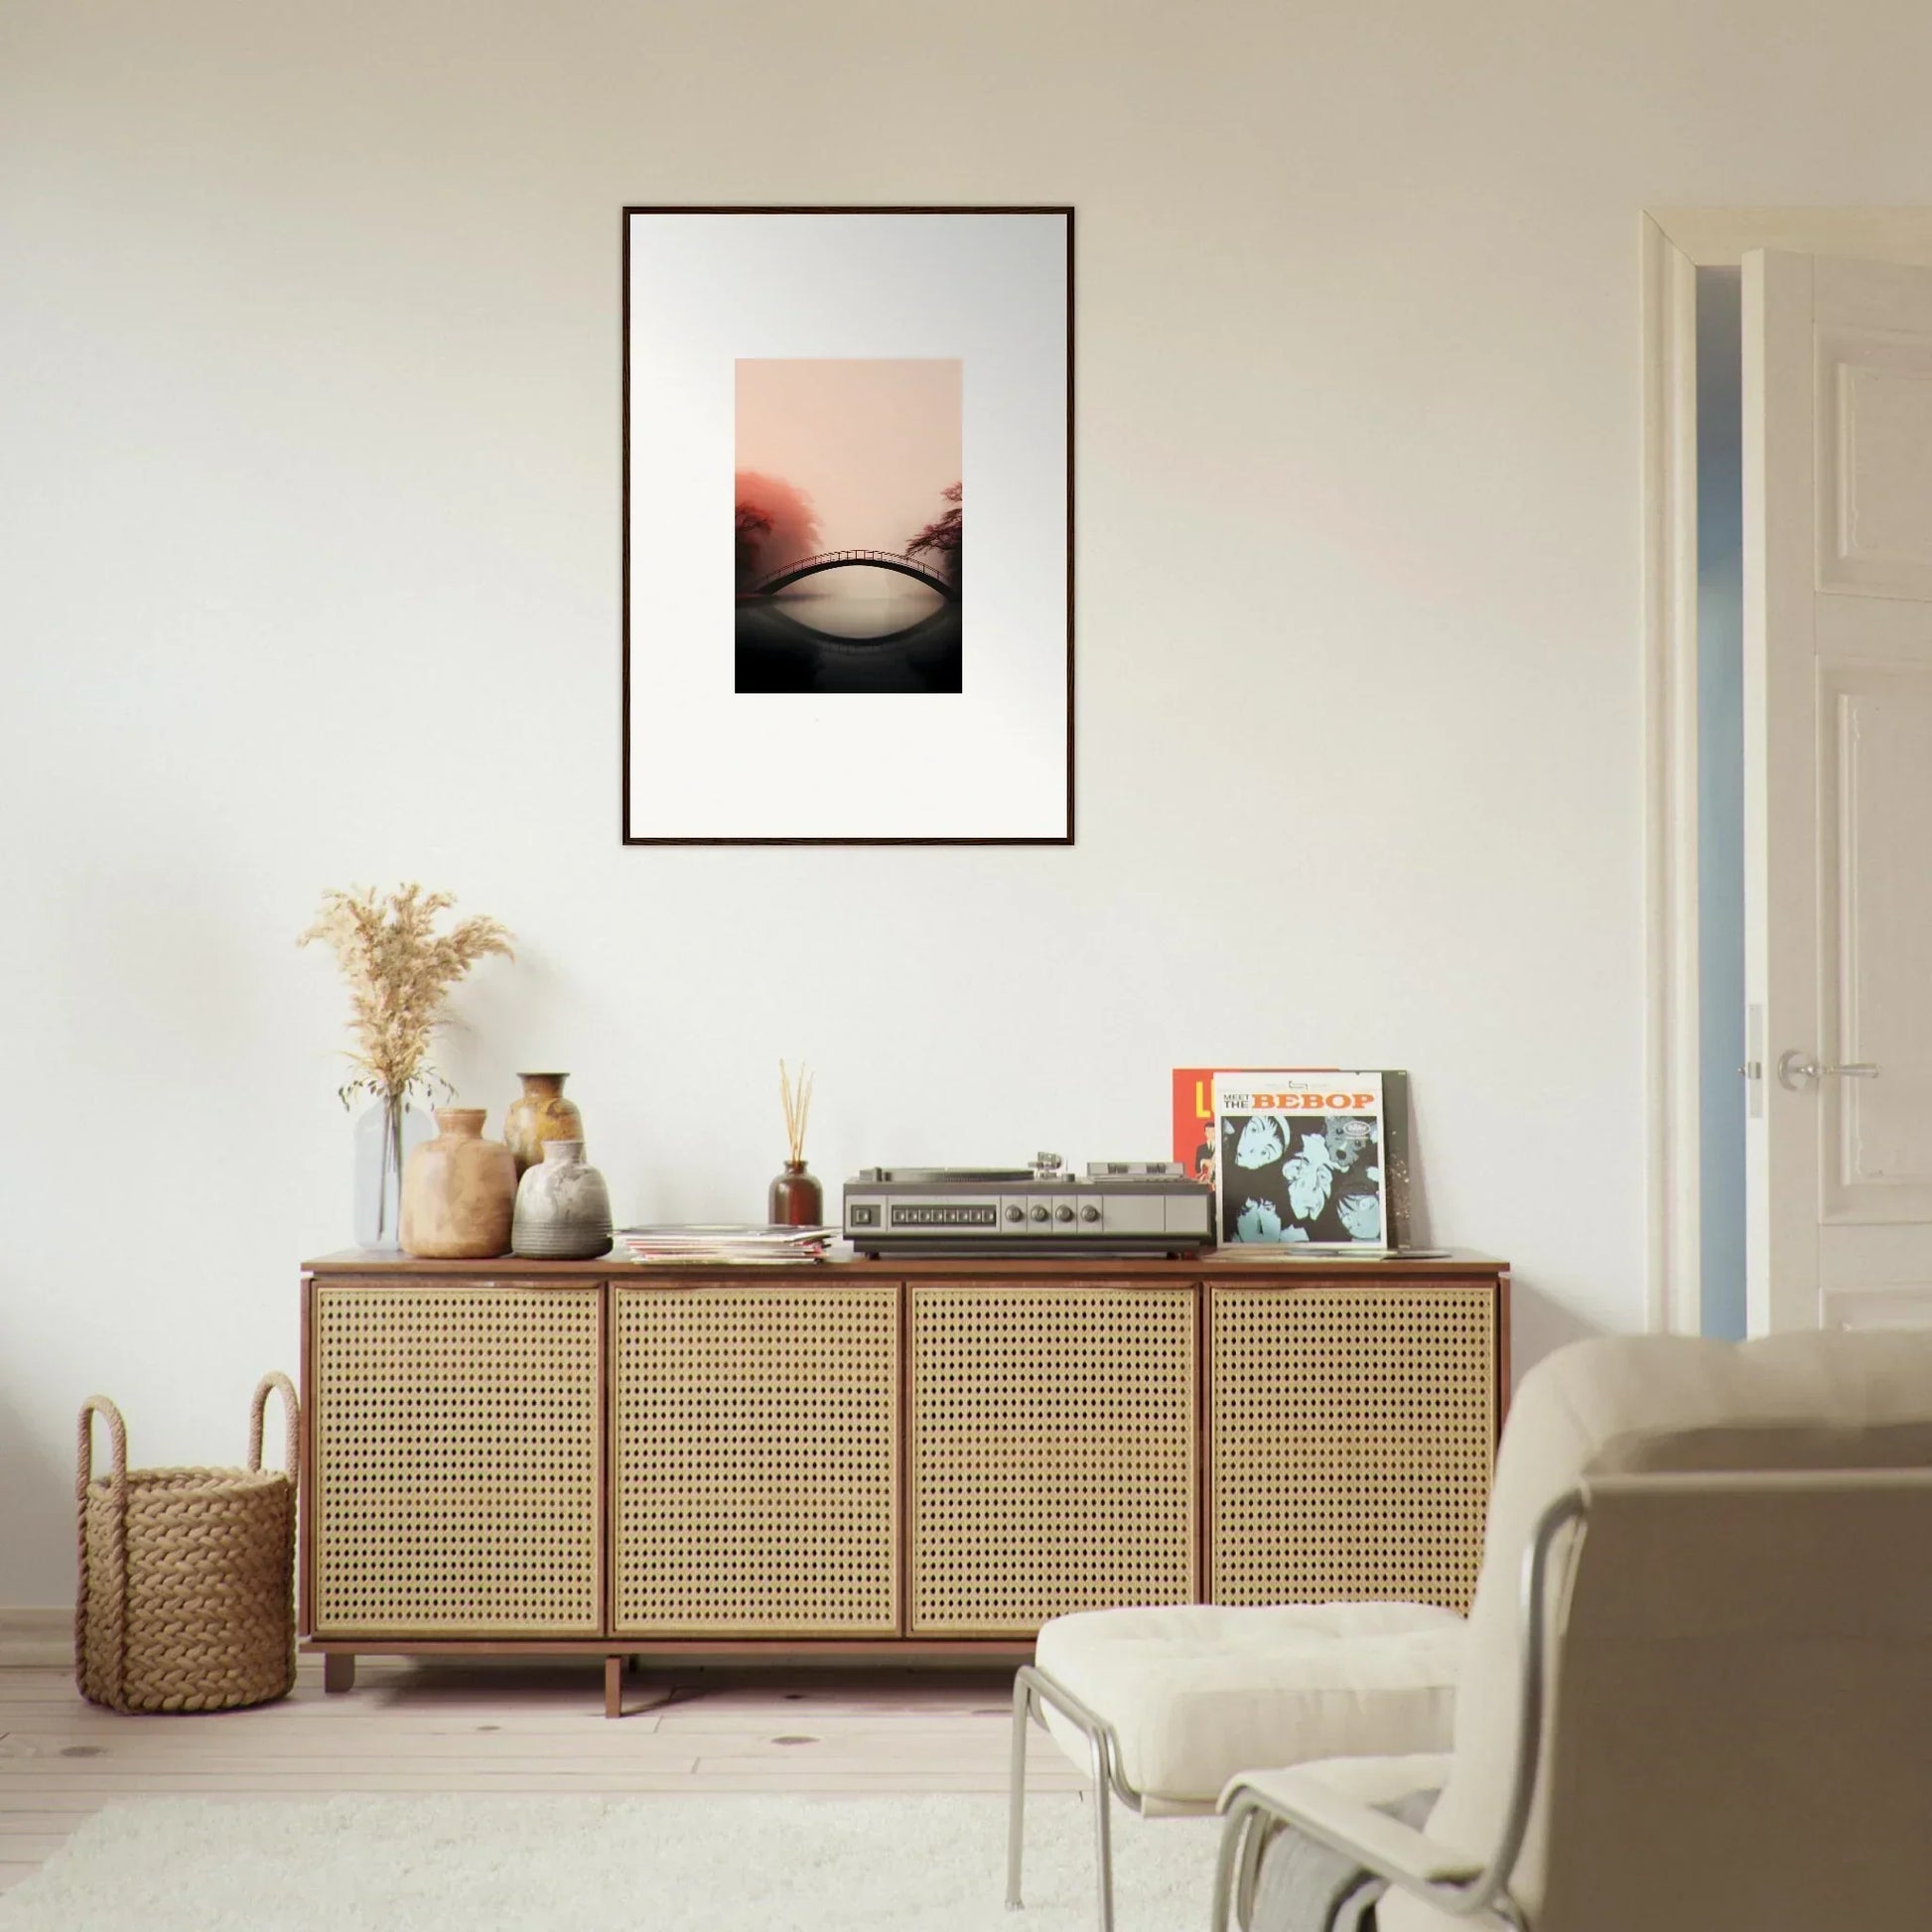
(310, 575)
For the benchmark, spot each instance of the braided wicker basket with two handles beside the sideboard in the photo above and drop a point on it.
(186, 1595)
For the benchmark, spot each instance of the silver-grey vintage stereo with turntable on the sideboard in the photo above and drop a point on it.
(1116, 1208)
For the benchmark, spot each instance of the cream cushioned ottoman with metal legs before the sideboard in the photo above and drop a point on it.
(1168, 1705)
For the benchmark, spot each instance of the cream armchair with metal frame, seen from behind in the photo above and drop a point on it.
(1699, 1676)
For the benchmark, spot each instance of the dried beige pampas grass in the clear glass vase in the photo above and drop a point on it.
(399, 971)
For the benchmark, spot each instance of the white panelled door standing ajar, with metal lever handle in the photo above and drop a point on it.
(1838, 791)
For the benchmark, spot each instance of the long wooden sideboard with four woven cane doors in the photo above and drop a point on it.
(878, 1460)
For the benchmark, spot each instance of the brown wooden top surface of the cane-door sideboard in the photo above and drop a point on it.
(1222, 1264)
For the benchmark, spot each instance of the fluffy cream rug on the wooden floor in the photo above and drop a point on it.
(608, 1865)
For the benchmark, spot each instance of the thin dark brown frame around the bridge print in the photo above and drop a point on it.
(631, 838)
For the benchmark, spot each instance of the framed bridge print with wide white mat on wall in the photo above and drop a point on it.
(851, 385)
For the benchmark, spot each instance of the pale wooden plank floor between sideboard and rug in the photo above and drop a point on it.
(509, 1728)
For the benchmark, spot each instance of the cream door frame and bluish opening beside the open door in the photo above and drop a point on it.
(1699, 1044)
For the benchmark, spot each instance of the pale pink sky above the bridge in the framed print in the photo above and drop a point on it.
(872, 443)
